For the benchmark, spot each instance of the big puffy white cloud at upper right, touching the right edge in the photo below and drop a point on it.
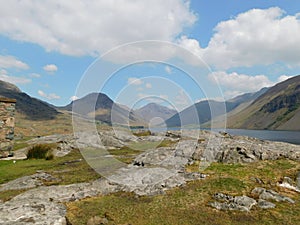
(255, 37)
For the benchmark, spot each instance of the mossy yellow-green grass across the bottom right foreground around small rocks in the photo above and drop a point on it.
(189, 204)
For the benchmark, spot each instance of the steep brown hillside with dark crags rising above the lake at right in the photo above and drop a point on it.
(278, 108)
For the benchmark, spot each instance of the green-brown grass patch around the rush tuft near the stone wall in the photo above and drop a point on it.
(66, 170)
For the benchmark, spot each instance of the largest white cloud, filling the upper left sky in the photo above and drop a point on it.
(87, 28)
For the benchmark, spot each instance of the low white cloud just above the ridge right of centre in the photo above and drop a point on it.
(234, 84)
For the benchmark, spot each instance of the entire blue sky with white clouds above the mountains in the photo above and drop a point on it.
(172, 52)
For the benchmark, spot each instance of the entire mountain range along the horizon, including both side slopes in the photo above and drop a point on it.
(277, 107)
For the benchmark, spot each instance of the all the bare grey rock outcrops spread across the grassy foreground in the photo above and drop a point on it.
(152, 172)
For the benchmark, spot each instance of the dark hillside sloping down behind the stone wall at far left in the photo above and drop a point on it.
(28, 107)
